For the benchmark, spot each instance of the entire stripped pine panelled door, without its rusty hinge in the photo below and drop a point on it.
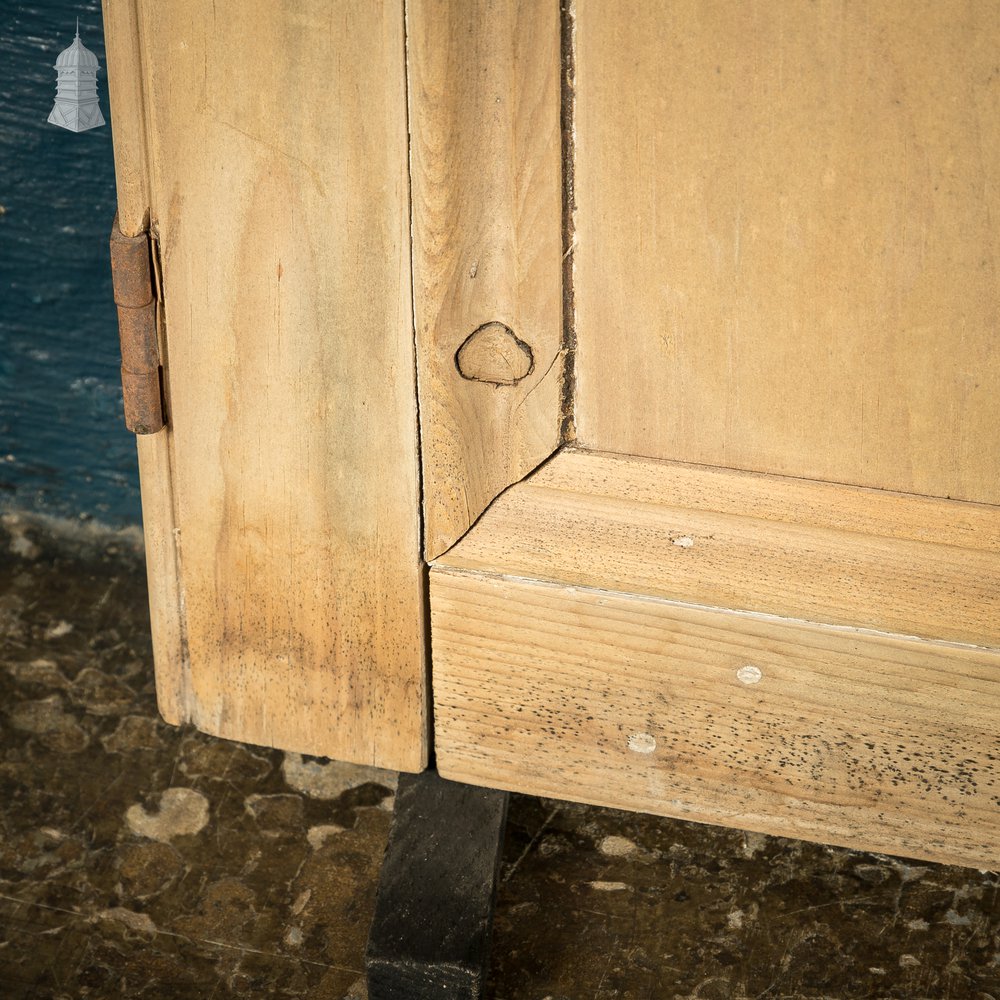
(744, 252)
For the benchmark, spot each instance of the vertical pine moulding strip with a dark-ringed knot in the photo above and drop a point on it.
(484, 97)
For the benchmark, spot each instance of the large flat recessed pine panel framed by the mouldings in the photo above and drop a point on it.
(787, 238)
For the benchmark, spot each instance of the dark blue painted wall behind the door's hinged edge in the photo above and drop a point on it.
(63, 447)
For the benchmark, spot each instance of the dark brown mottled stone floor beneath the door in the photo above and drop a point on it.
(139, 860)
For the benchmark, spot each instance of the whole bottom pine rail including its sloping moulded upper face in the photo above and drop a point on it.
(613, 631)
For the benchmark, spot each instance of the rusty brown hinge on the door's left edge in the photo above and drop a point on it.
(135, 296)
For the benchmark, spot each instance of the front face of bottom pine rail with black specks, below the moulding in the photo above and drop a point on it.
(870, 742)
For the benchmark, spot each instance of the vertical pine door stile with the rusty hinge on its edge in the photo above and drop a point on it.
(265, 146)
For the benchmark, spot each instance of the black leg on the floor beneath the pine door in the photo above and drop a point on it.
(430, 936)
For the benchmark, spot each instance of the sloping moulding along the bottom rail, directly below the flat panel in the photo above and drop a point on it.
(812, 551)
